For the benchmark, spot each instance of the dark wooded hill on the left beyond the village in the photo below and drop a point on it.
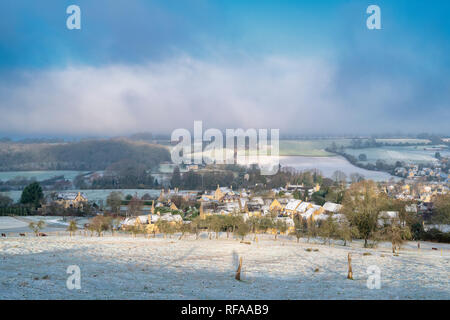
(85, 155)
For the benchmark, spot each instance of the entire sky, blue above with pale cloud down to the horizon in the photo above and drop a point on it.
(304, 67)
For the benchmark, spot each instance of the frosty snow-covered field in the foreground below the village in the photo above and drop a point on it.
(123, 267)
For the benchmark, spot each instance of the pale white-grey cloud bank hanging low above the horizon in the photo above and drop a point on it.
(297, 96)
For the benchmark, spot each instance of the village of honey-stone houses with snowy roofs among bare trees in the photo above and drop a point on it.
(290, 210)
